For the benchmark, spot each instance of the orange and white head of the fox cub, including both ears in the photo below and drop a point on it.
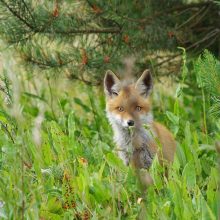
(128, 104)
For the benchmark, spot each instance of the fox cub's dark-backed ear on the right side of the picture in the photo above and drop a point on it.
(145, 83)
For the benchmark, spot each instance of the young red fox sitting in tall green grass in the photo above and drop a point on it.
(128, 106)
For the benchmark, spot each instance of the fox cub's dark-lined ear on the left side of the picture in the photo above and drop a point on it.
(111, 84)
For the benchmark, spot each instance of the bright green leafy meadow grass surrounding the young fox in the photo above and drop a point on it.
(57, 157)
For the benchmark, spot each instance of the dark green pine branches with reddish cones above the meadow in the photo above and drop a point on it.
(84, 38)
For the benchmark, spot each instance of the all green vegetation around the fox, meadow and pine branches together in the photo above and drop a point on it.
(57, 156)
